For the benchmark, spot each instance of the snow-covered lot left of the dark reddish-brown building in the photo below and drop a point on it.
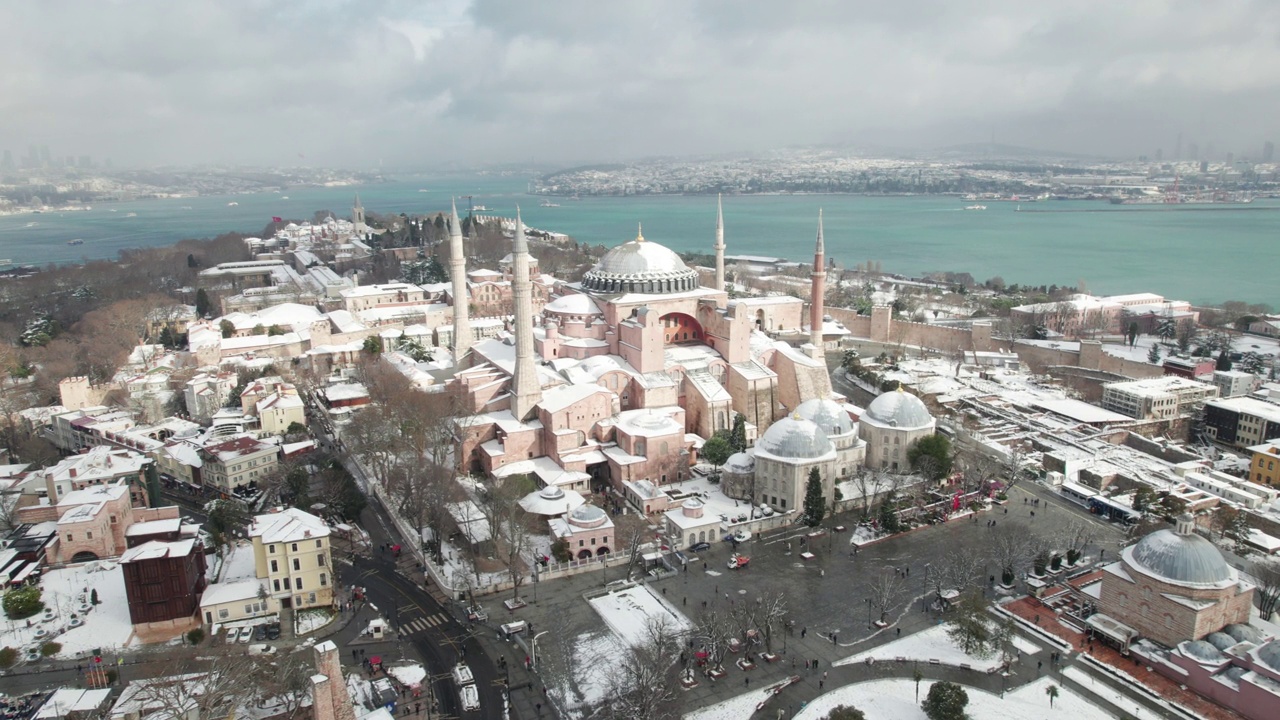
(67, 593)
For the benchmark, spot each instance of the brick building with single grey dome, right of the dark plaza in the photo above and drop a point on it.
(1174, 586)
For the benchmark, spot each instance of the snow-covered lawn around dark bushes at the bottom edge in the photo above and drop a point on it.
(895, 700)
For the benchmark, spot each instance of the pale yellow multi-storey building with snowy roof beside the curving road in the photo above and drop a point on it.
(291, 552)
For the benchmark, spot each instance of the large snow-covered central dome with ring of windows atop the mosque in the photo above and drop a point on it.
(641, 267)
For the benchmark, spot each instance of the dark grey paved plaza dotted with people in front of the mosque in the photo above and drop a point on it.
(826, 595)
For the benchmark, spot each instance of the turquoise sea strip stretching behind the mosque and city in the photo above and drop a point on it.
(1205, 254)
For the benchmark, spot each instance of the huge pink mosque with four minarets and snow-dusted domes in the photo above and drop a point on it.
(618, 380)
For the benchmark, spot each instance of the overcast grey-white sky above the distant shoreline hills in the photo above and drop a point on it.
(563, 83)
